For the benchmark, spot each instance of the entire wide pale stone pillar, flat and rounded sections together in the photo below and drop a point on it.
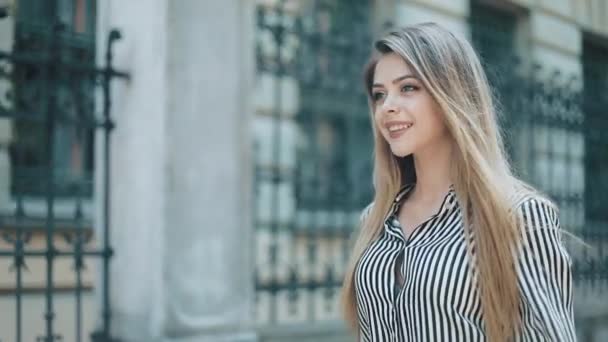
(180, 186)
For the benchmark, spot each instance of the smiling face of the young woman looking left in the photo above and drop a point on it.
(405, 112)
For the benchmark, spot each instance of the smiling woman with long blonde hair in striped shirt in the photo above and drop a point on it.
(421, 269)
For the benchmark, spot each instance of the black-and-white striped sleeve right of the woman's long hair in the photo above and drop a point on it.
(544, 275)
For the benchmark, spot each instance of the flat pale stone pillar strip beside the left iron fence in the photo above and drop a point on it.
(138, 167)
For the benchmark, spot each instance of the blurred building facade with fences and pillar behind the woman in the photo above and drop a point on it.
(192, 170)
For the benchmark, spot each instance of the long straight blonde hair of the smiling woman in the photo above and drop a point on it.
(485, 186)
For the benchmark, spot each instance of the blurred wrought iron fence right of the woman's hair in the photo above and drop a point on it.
(554, 146)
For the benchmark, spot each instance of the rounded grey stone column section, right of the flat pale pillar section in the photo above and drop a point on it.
(208, 233)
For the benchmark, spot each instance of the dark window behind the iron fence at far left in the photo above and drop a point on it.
(34, 85)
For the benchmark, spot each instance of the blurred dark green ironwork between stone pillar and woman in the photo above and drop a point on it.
(320, 46)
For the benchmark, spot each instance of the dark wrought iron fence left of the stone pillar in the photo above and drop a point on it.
(50, 82)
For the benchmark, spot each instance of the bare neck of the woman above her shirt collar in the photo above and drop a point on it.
(433, 175)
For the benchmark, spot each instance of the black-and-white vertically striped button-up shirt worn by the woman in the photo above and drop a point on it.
(423, 288)
